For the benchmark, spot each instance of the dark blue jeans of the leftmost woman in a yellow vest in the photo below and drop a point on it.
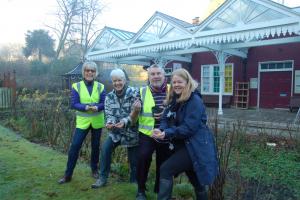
(78, 138)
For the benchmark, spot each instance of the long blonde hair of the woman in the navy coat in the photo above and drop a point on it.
(191, 85)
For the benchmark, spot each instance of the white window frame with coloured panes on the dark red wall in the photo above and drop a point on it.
(211, 80)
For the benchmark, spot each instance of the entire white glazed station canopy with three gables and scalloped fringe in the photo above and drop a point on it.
(234, 27)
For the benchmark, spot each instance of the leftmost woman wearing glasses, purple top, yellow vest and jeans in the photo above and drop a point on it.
(87, 98)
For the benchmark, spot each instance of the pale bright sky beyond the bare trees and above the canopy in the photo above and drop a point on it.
(18, 16)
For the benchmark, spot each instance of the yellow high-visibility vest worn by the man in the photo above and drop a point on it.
(146, 119)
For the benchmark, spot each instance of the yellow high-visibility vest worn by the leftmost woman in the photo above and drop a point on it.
(87, 118)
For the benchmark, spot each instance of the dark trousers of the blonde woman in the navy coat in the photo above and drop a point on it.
(177, 163)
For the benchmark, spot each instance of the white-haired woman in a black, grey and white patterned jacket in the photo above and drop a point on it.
(121, 112)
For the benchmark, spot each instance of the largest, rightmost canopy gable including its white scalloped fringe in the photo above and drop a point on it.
(244, 20)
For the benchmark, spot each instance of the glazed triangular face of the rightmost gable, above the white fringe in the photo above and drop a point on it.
(244, 12)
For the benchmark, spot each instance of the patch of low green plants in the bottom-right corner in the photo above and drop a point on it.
(270, 168)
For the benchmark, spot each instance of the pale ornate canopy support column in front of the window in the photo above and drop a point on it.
(221, 57)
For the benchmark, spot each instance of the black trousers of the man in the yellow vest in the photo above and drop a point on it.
(147, 146)
